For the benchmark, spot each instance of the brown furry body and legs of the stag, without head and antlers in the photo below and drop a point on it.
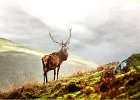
(53, 61)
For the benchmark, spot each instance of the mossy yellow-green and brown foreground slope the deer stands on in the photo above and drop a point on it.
(101, 83)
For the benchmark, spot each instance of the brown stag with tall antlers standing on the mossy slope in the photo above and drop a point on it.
(55, 59)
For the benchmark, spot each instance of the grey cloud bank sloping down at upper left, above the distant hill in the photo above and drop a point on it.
(17, 25)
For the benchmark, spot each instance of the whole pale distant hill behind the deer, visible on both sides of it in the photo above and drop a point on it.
(20, 64)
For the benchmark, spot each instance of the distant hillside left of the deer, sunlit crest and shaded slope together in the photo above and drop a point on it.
(18, 64)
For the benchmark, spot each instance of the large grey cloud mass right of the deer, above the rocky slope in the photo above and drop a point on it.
(121, 33)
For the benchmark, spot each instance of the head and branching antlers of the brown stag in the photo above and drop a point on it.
(63, 45)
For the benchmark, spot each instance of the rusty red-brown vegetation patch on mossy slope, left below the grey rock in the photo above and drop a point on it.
(108, 84)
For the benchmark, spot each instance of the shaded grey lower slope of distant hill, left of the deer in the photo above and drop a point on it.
(16, 68)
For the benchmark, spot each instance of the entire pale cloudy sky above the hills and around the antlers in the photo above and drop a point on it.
(102, 30)
